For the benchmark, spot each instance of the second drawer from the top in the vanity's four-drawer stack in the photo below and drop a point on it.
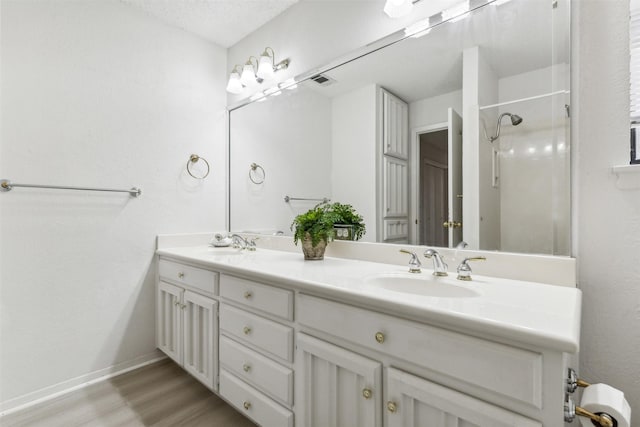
(270, 336)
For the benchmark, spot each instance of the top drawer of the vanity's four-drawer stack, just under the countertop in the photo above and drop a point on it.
(269, 299)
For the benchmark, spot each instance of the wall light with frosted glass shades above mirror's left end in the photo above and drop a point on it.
(255, 71)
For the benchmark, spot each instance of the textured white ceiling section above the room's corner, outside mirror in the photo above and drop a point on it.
(224, 22)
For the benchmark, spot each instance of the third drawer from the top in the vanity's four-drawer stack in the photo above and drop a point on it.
(267, 375)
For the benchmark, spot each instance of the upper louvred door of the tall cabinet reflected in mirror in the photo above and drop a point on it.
(395, 126)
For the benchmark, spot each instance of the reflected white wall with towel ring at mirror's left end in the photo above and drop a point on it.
(296, 158)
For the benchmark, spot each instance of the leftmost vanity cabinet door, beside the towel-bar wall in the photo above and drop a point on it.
(169, 321)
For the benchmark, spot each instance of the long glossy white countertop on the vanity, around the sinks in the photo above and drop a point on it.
(527, 312)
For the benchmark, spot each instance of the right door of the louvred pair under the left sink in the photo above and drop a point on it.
(200, 333)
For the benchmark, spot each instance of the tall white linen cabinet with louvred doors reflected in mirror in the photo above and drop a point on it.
(394, 215)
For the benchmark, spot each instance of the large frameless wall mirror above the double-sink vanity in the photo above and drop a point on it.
(454, 130)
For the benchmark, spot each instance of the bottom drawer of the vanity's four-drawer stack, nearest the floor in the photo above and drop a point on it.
(252, 403)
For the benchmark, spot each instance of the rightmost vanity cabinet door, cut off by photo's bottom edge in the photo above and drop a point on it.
(412, 401)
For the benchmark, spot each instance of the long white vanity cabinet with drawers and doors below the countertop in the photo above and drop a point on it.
(288, 354)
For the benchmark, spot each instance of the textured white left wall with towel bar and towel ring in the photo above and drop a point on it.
(96, 94)
